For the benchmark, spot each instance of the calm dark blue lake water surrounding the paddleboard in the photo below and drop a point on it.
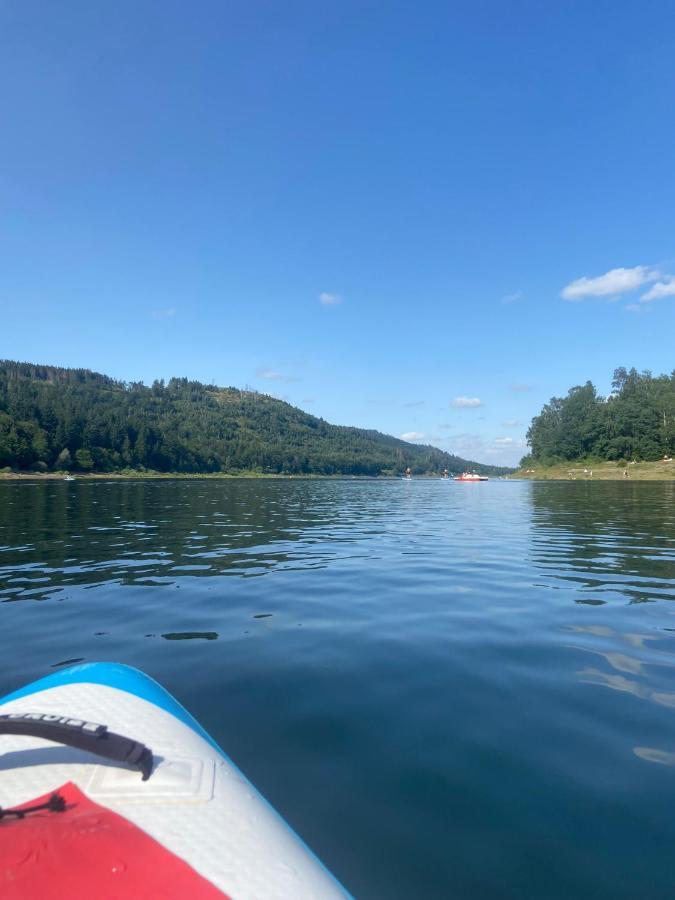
(450, 690)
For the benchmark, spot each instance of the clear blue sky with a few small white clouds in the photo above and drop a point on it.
(381, 212)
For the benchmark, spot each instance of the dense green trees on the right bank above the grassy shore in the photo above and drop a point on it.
(636, 421)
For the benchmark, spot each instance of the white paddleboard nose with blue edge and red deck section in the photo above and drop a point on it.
(185, 813)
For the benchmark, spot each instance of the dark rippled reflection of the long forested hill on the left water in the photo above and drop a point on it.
(150, 532)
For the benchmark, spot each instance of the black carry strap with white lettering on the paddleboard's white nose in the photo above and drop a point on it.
(80, 734)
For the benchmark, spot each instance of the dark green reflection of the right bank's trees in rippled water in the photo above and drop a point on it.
(607, 538)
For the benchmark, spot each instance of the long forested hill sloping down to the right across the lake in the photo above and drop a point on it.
(57, 419)
